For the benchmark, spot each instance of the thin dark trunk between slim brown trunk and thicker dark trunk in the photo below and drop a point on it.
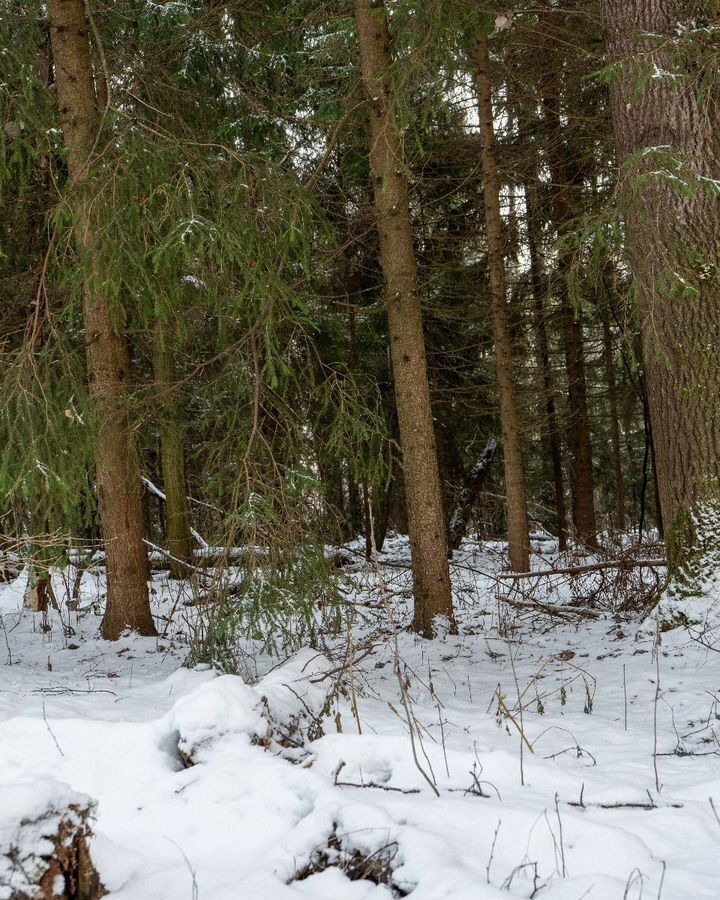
(543, 356)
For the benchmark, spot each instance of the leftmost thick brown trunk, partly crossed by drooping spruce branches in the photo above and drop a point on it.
(108, 362)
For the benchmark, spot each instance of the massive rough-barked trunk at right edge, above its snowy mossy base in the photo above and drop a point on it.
(667, 130)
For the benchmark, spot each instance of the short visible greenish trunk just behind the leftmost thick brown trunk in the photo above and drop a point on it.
(172, 452)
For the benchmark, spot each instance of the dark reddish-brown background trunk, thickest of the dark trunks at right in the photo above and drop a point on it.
(562, 178)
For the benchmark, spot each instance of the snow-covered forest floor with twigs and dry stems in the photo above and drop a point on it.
(563, 768)
